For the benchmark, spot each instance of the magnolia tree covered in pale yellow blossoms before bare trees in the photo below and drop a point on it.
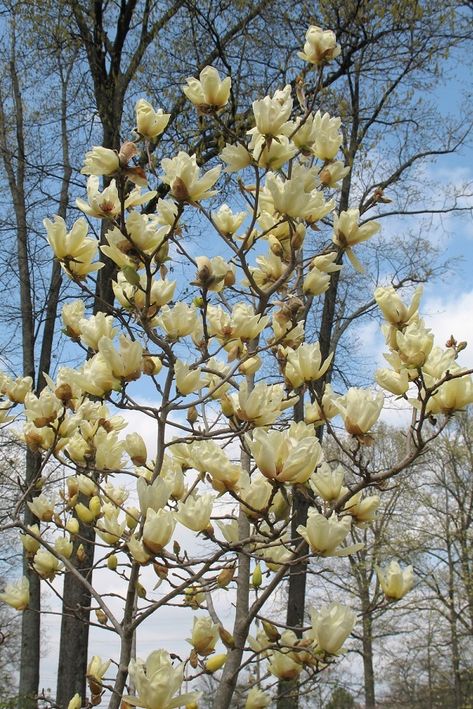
(229, 454)
